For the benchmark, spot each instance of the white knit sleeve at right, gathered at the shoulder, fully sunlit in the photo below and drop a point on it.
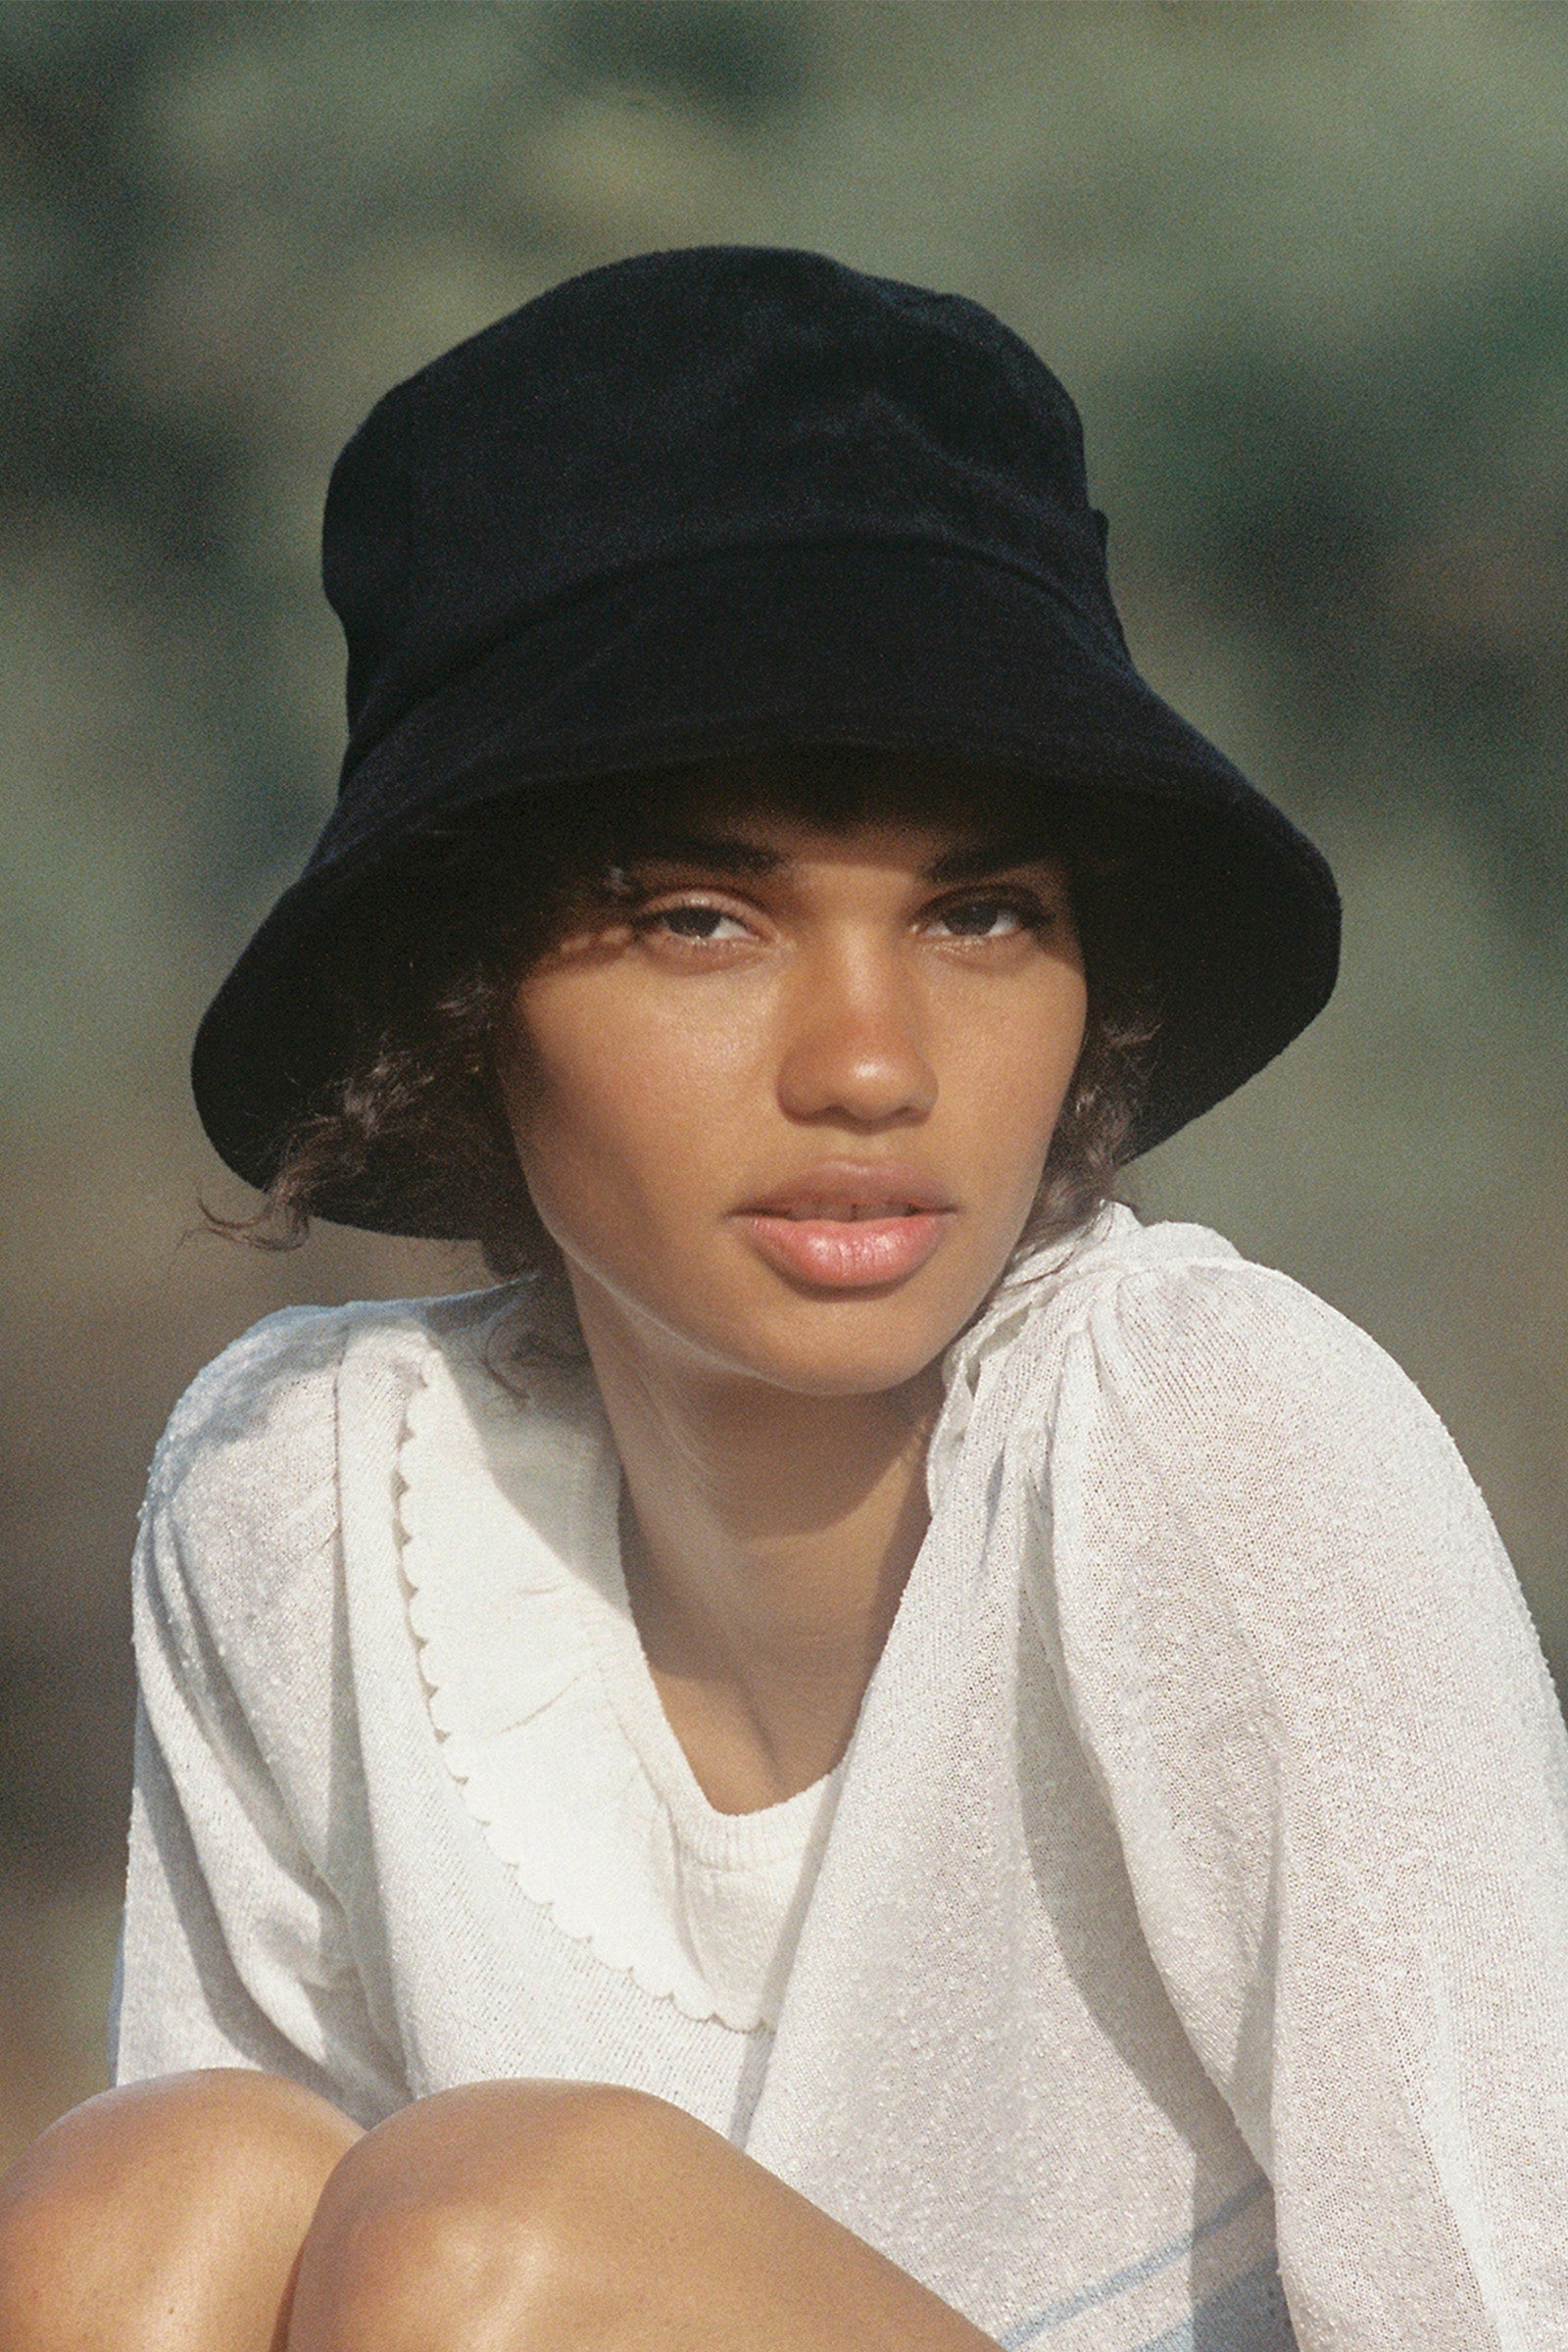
(1311, 1690)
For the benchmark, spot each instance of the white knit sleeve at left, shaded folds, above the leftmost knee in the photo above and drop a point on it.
(248, 1859)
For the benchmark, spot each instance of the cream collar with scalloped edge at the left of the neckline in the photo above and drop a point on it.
(544, 1706)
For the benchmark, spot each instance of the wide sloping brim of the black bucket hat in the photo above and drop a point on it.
(897, 648)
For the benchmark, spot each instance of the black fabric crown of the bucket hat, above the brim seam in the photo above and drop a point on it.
(683, 406)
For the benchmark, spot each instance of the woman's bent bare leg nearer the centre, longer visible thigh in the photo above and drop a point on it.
(563, 2219)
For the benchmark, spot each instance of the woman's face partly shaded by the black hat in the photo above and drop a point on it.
(786, 1097)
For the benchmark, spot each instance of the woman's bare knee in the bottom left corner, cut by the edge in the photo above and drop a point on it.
(166, 2217)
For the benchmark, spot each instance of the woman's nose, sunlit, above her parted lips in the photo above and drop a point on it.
(855, 1045)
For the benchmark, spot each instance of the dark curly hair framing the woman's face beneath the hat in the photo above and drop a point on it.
(431, 963)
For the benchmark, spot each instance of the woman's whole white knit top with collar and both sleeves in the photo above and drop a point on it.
(1179, 1960)
